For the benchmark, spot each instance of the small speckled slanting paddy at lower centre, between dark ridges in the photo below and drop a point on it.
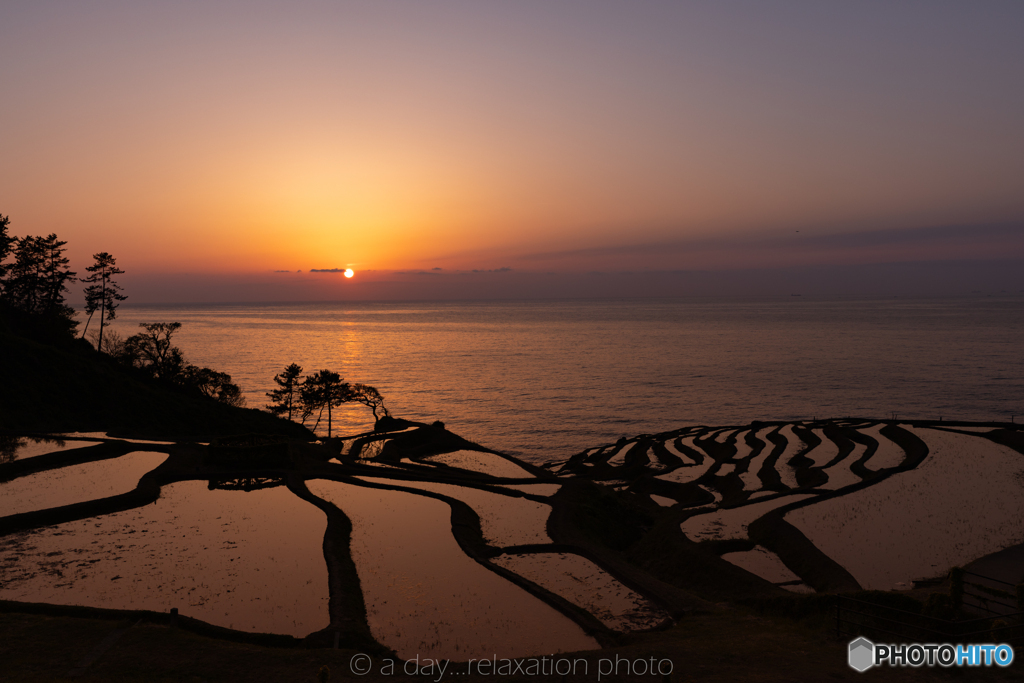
(583, 583)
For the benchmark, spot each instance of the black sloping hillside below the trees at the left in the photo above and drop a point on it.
(74, 389)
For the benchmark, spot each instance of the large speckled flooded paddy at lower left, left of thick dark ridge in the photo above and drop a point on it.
(251, 562)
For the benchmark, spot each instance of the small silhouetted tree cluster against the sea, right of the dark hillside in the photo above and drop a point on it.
(324, 391)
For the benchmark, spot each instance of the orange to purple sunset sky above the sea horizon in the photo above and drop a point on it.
(521, 149)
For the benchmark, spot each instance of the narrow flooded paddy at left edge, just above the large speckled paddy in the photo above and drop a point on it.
(77, 484)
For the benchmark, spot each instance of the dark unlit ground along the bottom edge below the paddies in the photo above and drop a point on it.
(724, 646)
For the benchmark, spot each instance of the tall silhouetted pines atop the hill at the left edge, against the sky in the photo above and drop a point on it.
(34, 284)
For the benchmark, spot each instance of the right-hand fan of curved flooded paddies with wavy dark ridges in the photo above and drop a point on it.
(890, 503)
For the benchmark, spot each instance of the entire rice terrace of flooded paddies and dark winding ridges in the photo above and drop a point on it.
(413, 544)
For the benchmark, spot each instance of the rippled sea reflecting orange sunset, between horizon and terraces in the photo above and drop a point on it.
(543, 380)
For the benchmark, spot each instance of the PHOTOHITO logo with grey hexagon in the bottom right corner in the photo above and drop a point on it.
(864, 655)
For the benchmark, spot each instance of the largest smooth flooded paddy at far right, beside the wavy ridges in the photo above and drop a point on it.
(964, 501)
